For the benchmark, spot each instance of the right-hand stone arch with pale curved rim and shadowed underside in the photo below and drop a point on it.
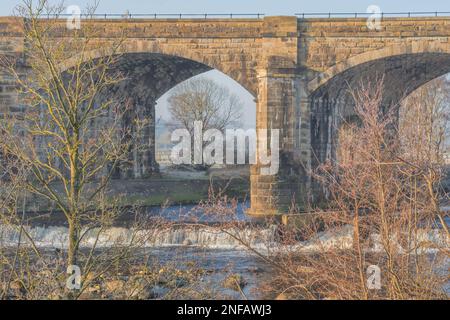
(405, 68)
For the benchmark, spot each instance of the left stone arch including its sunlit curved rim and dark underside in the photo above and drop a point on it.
(151, 72)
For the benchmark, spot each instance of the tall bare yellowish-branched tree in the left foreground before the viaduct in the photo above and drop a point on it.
(61, 141)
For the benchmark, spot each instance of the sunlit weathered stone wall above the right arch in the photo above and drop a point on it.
(326, 42)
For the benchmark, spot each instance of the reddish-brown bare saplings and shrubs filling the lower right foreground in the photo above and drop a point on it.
(382, 215)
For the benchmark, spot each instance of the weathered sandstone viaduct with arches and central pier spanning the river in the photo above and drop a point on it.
(298, 70)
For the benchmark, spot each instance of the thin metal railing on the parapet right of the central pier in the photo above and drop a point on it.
(367, 15)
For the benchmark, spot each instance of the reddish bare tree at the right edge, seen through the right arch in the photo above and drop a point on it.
(424, 133)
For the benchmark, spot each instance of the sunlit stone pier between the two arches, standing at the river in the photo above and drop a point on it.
(277, 108)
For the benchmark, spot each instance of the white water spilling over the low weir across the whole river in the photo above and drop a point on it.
(259, 238)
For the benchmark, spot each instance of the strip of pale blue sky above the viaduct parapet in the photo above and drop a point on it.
(270, 7)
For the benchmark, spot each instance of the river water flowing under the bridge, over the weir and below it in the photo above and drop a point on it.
(191, 238)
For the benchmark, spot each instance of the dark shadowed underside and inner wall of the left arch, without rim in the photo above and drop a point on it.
(148, 77)
